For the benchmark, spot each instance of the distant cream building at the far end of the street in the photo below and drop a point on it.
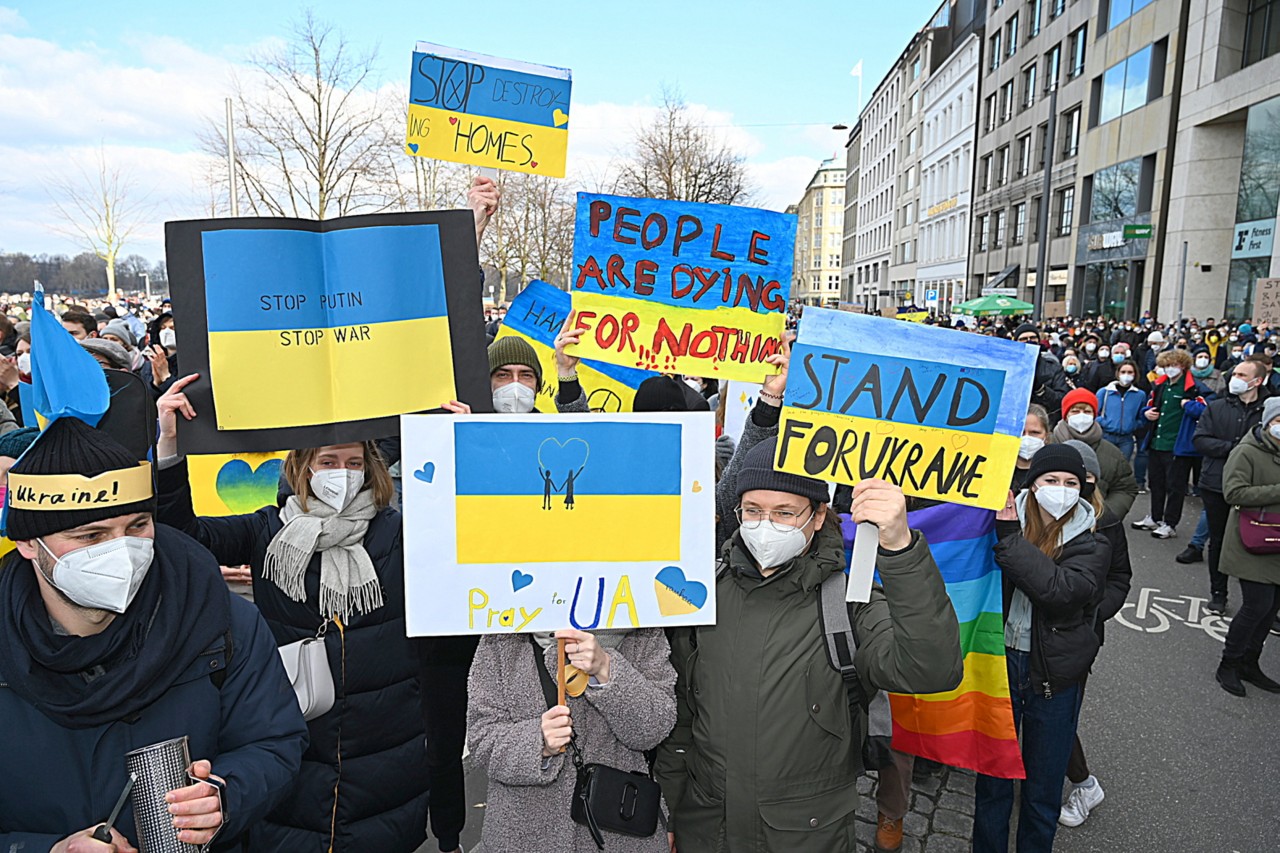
(820, 234)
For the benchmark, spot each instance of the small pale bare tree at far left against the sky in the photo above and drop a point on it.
(100, 211)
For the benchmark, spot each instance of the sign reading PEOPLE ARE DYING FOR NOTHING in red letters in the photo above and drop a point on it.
(682, 288)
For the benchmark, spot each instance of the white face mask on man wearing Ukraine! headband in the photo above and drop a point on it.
(106, 576)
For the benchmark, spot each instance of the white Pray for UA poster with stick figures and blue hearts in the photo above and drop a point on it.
(534, 523)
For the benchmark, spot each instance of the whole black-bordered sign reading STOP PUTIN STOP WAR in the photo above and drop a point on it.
(309, 334)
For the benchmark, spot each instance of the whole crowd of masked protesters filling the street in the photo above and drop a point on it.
(122, 630)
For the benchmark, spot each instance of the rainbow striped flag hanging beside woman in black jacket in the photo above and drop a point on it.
(973, 726)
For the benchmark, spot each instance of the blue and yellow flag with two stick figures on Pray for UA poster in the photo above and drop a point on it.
(552, 492)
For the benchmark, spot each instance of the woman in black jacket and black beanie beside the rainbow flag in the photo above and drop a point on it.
(1054, 567)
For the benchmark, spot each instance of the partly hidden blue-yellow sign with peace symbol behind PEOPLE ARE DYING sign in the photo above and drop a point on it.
(537, 316)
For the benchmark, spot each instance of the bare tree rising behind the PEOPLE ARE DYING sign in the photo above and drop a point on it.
(673, 157)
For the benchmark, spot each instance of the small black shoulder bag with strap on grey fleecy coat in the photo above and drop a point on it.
(606, 799)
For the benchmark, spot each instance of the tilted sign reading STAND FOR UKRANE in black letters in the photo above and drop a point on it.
(936, 412)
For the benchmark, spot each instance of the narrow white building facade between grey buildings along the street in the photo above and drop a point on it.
(947, 177)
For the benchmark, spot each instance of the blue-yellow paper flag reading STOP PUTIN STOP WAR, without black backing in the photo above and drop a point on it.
(354, 326)
